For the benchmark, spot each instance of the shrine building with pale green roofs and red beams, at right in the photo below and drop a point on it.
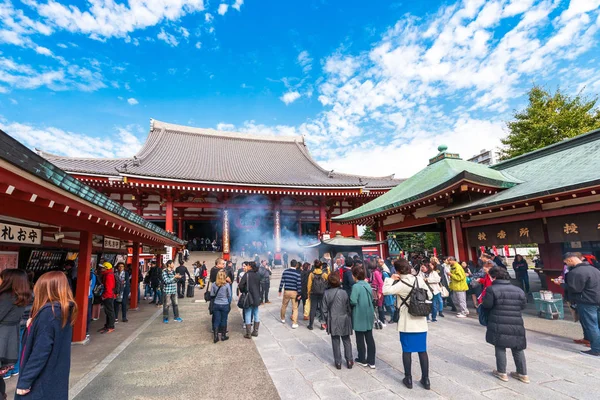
(549, 197)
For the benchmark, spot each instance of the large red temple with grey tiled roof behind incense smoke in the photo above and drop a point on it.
(202, 183)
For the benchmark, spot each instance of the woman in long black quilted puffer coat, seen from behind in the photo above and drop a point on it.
(503, 303)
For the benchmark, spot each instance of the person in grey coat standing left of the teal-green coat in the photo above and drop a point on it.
(336, 308)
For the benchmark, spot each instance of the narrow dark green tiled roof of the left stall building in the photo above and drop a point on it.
(15, 153)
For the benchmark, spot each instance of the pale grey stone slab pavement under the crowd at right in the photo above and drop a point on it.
(300, 363)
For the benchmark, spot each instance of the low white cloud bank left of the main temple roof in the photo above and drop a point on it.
(122, 143)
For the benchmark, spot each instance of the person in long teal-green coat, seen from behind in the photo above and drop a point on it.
(363, 317)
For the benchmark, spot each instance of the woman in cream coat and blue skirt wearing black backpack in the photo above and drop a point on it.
(412, 294)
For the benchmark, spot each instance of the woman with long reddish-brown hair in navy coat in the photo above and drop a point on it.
(46, 358)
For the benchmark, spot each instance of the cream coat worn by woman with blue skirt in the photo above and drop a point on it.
(407, 322)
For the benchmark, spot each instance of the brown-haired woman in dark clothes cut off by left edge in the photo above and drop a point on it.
(15, 294)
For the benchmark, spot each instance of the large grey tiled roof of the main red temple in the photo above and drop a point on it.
(187, 154)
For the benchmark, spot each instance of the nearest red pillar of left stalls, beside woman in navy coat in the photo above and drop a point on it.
(83, 288)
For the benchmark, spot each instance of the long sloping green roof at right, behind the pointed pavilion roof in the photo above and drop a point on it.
(563, 166)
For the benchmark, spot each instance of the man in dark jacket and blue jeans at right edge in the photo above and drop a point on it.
(583, 284)
